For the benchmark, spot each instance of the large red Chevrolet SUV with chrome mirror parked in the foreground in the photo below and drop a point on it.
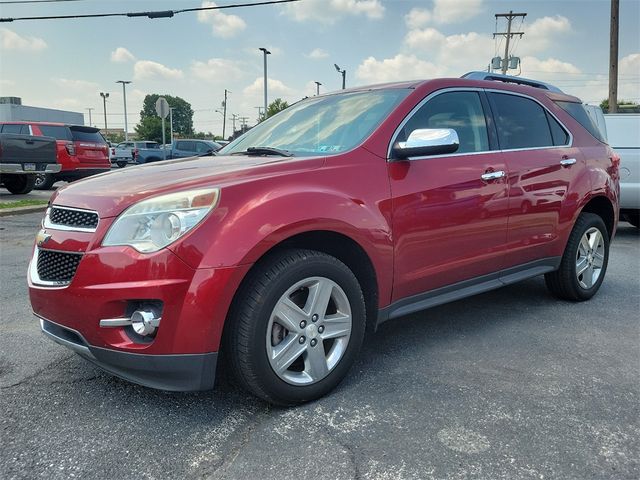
(343, 211)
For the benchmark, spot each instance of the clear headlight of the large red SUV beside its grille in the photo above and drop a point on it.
(157, 222)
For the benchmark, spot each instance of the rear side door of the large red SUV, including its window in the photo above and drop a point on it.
(543, 168)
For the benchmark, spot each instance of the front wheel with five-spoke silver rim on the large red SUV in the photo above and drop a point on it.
(257, 338)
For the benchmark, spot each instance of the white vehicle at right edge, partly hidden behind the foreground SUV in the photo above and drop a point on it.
(624, 136)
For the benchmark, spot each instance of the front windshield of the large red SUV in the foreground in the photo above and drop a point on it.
(322, 125)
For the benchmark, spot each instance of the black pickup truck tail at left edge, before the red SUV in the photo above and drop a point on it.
(22, 157)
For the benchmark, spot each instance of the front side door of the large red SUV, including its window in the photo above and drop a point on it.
(449, 223)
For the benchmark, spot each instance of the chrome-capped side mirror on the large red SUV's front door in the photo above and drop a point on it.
(427, 141)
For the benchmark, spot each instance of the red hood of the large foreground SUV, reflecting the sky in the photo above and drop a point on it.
(112, 192)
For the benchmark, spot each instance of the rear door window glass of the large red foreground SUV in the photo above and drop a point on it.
(521, 122)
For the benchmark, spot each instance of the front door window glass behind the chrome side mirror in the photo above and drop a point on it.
(461, 111)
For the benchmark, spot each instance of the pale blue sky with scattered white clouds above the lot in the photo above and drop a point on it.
(65, 64)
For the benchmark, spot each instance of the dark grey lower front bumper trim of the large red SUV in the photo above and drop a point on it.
(183, 372)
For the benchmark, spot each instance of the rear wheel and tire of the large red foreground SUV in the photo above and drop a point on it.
(587, 248)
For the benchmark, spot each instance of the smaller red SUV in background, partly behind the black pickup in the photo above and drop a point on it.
(82, 151)
